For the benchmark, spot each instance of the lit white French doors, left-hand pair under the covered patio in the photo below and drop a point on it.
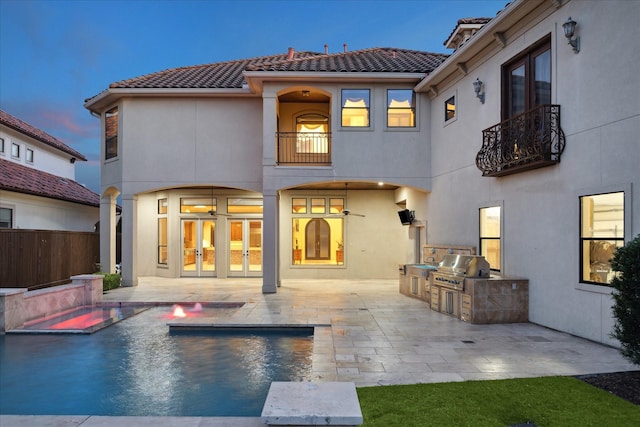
(198, 247)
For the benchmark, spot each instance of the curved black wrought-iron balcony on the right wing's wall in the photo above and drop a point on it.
(530, 140)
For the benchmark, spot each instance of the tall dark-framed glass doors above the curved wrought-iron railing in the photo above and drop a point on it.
(527, 81)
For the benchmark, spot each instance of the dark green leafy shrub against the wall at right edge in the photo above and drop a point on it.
(626, 308)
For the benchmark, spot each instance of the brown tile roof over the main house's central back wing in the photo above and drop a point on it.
(229, 75)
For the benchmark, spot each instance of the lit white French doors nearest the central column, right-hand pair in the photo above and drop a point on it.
(245, 247)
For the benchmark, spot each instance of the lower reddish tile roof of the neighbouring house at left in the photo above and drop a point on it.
(23, 179)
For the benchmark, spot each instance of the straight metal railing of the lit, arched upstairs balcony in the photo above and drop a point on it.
(303, 148)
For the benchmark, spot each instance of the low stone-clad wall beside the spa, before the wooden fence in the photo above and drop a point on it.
(18, 305)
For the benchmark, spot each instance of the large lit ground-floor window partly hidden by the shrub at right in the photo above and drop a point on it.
(601, 232)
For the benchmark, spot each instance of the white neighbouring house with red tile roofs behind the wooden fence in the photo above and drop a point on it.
(37, 181)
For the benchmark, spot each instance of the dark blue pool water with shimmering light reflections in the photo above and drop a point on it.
(138, 368)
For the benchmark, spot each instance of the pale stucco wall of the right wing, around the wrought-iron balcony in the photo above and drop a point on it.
(600, 115)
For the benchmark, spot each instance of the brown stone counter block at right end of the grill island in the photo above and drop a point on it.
(495, 299)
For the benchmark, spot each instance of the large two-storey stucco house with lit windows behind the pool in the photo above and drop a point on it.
(247, 168)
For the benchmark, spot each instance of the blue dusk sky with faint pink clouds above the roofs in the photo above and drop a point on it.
(56, 53)
